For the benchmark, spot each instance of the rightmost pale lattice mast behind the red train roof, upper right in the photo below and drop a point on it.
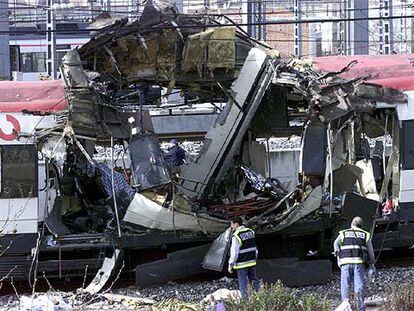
(386, 45)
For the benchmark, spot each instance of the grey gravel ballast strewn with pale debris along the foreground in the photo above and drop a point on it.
(193, 292)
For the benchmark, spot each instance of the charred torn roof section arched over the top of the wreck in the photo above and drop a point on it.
(179, 52)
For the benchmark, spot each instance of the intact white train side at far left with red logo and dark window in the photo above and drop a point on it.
(19, 173)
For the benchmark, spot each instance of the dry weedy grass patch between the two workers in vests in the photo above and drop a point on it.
(277, 297)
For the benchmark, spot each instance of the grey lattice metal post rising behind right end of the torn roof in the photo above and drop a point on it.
(256, 13)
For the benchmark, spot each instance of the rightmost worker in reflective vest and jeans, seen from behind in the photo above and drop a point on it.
(354, 250)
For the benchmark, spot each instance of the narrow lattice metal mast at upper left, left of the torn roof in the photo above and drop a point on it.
(51, 41)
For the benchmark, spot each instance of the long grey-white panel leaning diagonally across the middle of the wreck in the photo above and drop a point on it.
(199, 177)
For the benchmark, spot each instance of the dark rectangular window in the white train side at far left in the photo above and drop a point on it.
(18, 167)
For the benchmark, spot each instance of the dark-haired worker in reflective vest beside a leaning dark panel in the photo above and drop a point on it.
(243, 255)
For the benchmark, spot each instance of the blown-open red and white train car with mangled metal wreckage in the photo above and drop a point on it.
(83, 205)
